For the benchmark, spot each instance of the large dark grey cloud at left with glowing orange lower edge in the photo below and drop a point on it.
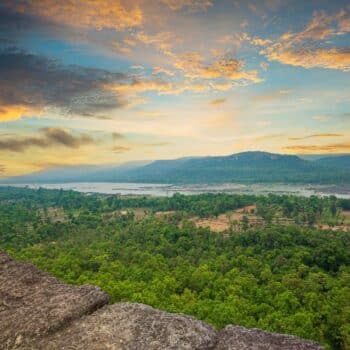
(30, 83)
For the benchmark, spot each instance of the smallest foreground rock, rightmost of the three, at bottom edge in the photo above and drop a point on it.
(240, 338)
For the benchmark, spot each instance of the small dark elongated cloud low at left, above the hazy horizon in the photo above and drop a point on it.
(49, 137)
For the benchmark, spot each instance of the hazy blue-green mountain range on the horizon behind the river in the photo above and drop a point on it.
(245, 167)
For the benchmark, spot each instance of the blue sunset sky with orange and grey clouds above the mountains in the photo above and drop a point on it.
(112, 81)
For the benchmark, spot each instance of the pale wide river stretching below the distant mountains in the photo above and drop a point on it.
(169, 190)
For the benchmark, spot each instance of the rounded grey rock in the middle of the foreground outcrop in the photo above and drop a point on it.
(128, 326)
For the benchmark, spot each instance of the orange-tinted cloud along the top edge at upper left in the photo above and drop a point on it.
(97, 14)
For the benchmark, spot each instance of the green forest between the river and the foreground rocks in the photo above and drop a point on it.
(288, 271)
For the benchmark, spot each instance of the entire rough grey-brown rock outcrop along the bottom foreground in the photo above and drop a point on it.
(39, 312)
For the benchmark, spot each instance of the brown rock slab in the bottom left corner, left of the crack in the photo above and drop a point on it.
(33, 303)
